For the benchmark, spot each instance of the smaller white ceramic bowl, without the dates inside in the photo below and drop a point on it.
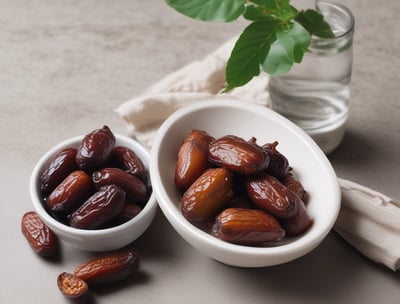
(102, 239)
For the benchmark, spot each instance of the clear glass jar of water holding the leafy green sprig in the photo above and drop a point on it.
(315, 93)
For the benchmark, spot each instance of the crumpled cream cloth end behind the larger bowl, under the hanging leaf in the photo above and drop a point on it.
(192, 83)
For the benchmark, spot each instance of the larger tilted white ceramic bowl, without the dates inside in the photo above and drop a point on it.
(220, 118)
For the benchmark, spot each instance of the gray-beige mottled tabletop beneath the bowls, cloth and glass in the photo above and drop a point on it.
(66, 65)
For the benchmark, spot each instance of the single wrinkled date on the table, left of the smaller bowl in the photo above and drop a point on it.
(41, 239)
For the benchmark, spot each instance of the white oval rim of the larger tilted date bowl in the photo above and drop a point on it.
(299, 245)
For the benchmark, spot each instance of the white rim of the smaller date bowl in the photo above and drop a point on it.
(60, 227)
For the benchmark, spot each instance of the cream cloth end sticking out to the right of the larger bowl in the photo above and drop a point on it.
(370, 222)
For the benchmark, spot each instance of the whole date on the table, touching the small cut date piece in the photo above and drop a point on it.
(108, 268)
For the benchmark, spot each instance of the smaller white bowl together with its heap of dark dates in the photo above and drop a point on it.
(94, 190)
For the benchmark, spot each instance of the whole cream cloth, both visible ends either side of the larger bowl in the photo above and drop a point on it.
(368, 220)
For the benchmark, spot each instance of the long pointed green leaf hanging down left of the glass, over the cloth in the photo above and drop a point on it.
(249, 51)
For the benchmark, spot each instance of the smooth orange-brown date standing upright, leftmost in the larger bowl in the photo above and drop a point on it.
(192, 158)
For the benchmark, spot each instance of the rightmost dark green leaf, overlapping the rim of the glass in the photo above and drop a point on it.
(314, 23)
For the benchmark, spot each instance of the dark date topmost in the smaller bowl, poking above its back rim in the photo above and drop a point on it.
(95, 149)
